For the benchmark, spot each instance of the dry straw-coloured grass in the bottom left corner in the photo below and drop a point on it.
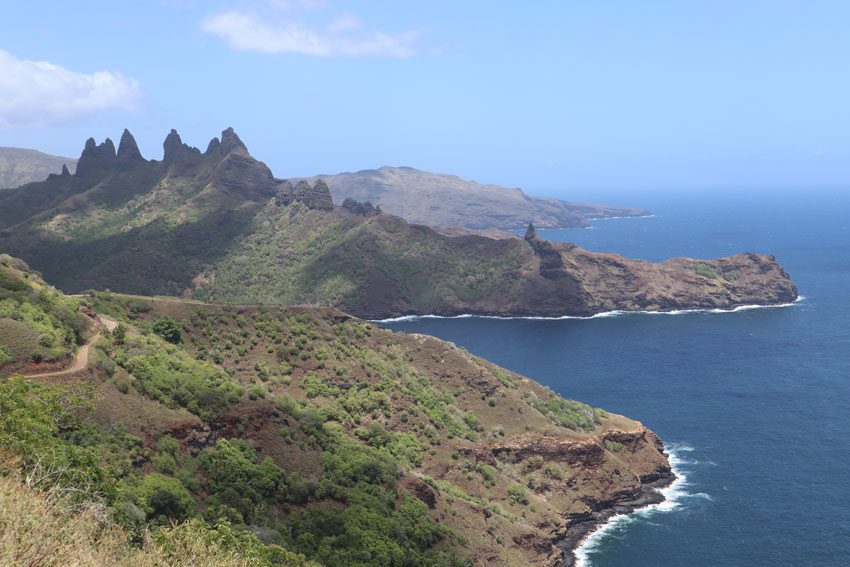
(39, 529)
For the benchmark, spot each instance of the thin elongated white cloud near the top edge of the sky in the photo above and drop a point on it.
(345, 35)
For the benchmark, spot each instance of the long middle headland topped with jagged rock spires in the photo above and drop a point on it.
(219, 226)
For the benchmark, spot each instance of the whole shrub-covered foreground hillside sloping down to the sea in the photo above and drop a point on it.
(298, 435)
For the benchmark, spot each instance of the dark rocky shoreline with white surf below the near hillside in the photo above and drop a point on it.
(581, 526)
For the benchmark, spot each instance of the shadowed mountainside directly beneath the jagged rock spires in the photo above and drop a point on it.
(144, 229)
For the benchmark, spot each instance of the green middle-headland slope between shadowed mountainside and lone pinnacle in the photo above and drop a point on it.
(295, 255)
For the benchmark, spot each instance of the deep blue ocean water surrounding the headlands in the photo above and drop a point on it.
(754, 405)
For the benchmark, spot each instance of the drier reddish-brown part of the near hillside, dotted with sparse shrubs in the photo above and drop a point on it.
(464, 433)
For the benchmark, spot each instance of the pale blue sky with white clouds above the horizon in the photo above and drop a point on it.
(557, 97)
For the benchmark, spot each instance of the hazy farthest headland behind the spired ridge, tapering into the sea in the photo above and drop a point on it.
(441, 200)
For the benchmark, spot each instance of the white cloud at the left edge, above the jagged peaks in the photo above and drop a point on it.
(41, 93)
